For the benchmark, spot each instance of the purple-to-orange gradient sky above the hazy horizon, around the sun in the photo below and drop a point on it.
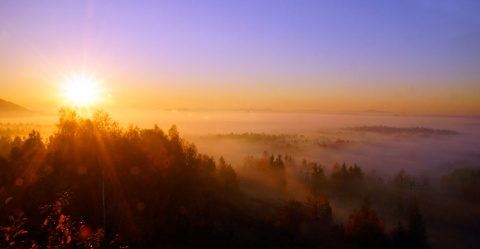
(412, 56)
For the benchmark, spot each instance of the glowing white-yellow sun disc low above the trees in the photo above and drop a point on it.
(81, 91)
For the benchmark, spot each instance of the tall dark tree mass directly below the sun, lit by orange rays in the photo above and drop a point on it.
(148, 187)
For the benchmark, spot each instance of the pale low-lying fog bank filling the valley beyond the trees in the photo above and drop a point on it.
(322, 138)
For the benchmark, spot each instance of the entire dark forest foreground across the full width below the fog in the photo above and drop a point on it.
(93, 184)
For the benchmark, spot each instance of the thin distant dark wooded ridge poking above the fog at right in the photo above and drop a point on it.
(406, 130)
